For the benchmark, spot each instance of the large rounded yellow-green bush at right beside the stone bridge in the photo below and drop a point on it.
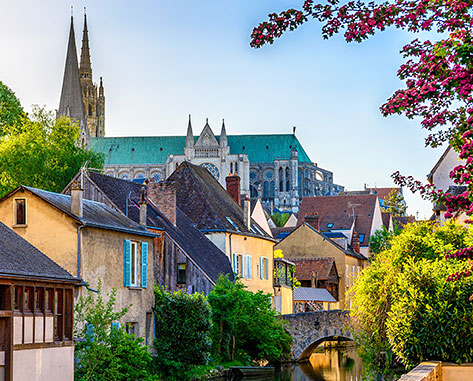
(404, 306)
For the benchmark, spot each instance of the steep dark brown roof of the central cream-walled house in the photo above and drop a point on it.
(209, 206)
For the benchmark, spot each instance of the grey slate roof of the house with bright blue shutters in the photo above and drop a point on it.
(95, 214)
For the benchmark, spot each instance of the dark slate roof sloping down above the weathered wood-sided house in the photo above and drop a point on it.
(200, 249)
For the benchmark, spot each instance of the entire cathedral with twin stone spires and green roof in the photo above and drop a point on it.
(272, 167)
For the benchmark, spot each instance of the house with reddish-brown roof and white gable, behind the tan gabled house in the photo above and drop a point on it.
(338, 217)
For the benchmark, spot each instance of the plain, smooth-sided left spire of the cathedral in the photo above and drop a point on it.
(70, 104)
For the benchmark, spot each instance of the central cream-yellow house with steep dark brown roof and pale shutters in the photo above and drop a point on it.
(217, 213)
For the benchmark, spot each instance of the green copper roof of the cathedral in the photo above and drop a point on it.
(156, 149)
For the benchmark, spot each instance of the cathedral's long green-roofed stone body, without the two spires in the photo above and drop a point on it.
(273, 167)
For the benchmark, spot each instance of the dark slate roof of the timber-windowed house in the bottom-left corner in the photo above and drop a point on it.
(19, 258)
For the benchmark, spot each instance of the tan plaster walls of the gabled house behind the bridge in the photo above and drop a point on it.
(307, 242)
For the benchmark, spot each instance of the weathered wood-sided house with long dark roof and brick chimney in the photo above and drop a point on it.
(184, 258)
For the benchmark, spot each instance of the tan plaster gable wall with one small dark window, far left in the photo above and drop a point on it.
(51, 231)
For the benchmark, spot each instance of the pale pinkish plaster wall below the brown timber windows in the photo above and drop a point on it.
(44, 364)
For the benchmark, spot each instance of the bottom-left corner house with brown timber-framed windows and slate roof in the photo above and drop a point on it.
(36, 313)
